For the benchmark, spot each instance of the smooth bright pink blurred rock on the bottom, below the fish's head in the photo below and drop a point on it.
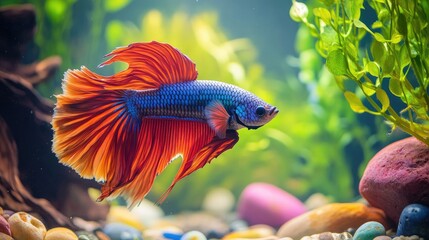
(262, 203)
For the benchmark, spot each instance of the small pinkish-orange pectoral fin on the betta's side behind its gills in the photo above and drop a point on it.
(217, 118)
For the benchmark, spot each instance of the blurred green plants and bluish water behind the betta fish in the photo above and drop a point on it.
(315, 144)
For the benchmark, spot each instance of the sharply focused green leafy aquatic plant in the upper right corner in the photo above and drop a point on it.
(386, 59)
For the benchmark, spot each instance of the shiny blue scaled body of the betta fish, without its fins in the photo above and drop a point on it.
(188, 100)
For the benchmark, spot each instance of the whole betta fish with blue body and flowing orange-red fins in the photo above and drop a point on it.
(123, 130)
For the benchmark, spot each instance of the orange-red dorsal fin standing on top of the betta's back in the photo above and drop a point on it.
(150, 65)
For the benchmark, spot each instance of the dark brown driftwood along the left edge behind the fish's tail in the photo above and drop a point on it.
(31, 179)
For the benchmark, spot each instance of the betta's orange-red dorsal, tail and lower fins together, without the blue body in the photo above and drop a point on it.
(95, 133)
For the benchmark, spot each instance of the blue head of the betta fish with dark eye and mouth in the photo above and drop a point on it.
(254, 114)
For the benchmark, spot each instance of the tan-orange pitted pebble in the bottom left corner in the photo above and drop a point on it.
(24, 226)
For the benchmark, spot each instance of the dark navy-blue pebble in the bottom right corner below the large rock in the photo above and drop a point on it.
(414, 220)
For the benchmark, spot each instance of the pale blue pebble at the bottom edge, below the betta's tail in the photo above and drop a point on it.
(119, 231)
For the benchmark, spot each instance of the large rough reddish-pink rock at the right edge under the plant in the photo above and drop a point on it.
(397, 176)
